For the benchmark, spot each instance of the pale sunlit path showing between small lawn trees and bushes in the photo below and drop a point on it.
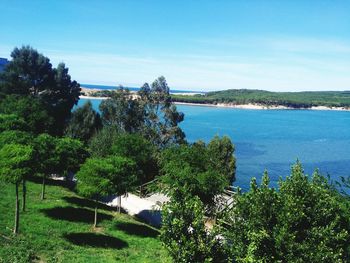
(147, 209)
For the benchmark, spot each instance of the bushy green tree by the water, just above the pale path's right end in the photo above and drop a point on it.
(198, 170)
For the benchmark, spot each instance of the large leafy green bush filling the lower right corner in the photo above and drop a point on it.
(304, 220)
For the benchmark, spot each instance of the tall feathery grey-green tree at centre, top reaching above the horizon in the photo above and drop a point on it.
(150, 113)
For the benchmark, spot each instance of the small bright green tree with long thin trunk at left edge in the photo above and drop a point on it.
(14, 159)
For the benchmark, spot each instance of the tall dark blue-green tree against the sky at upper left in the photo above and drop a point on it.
(30, 74)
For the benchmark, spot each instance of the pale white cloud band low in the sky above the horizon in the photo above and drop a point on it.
(285, 64)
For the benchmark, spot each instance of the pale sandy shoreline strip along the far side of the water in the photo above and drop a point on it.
(239, 106)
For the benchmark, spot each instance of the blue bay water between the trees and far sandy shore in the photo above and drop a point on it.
(274, 139)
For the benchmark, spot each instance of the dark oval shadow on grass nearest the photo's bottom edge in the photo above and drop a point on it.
(95, 240)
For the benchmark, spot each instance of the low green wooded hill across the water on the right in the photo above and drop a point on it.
(305, 99)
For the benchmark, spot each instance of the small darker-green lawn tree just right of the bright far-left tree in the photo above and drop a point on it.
(46, 158)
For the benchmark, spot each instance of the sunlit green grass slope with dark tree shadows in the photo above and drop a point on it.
(59, 229)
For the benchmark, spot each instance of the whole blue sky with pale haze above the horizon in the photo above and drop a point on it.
(197, 45)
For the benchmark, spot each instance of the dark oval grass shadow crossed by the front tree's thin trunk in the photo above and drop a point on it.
(74, 214)
